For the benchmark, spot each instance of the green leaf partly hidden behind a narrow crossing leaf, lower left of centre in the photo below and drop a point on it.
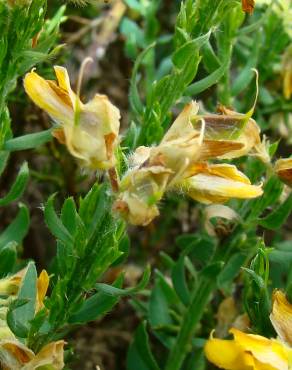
(96, 306)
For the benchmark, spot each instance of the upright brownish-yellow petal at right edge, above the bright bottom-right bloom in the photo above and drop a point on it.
(281, 316)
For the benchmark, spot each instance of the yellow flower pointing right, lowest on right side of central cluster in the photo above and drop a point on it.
(217, 183)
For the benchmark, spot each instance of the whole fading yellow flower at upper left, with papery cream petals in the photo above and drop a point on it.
(90, 131)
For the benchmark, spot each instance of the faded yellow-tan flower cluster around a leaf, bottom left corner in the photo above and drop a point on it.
(13, 353)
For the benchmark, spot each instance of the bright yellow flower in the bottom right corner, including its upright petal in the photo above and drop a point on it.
(254, 352)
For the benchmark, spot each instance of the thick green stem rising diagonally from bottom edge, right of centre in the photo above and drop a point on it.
(190, 321)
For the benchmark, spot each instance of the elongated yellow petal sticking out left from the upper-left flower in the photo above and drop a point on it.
(49, 97)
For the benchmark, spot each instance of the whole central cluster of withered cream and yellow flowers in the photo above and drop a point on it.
(181, 163)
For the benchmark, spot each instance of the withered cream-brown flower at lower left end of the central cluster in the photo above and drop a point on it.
(141, 190)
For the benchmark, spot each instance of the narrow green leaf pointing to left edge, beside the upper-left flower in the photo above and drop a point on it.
(29, 141)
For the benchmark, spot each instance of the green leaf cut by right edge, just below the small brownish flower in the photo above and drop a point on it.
(278, 217)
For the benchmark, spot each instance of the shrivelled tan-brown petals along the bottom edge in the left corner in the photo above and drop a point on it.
(16, 356)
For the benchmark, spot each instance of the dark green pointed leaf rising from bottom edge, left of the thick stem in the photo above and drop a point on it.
(139, 355)
